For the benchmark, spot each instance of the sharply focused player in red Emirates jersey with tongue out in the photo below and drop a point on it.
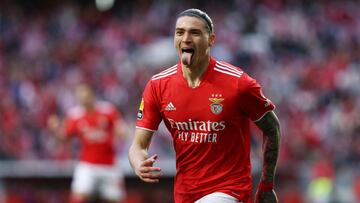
(207, 106)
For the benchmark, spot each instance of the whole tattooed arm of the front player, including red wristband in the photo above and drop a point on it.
(270, 127)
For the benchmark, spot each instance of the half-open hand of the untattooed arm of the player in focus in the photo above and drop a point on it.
(146, 172)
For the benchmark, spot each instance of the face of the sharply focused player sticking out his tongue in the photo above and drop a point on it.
(192, 41)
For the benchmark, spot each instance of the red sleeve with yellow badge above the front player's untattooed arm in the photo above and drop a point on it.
(149, 116)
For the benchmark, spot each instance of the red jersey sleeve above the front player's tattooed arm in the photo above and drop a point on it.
(252, 100)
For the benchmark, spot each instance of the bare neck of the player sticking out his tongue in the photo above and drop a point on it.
(194, 73)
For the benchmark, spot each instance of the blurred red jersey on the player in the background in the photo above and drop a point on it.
(95, 130)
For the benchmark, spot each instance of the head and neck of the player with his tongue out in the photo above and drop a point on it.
(193, 38)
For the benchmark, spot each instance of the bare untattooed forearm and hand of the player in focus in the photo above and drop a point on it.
(139, 160)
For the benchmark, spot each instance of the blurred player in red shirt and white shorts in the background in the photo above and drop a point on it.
(95, 123)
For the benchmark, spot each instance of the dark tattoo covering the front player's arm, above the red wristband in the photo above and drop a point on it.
(270, 127)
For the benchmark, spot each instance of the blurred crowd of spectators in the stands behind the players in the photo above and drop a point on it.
(306, 55)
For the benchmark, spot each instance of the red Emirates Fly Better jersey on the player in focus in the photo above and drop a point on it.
(209, 125)
